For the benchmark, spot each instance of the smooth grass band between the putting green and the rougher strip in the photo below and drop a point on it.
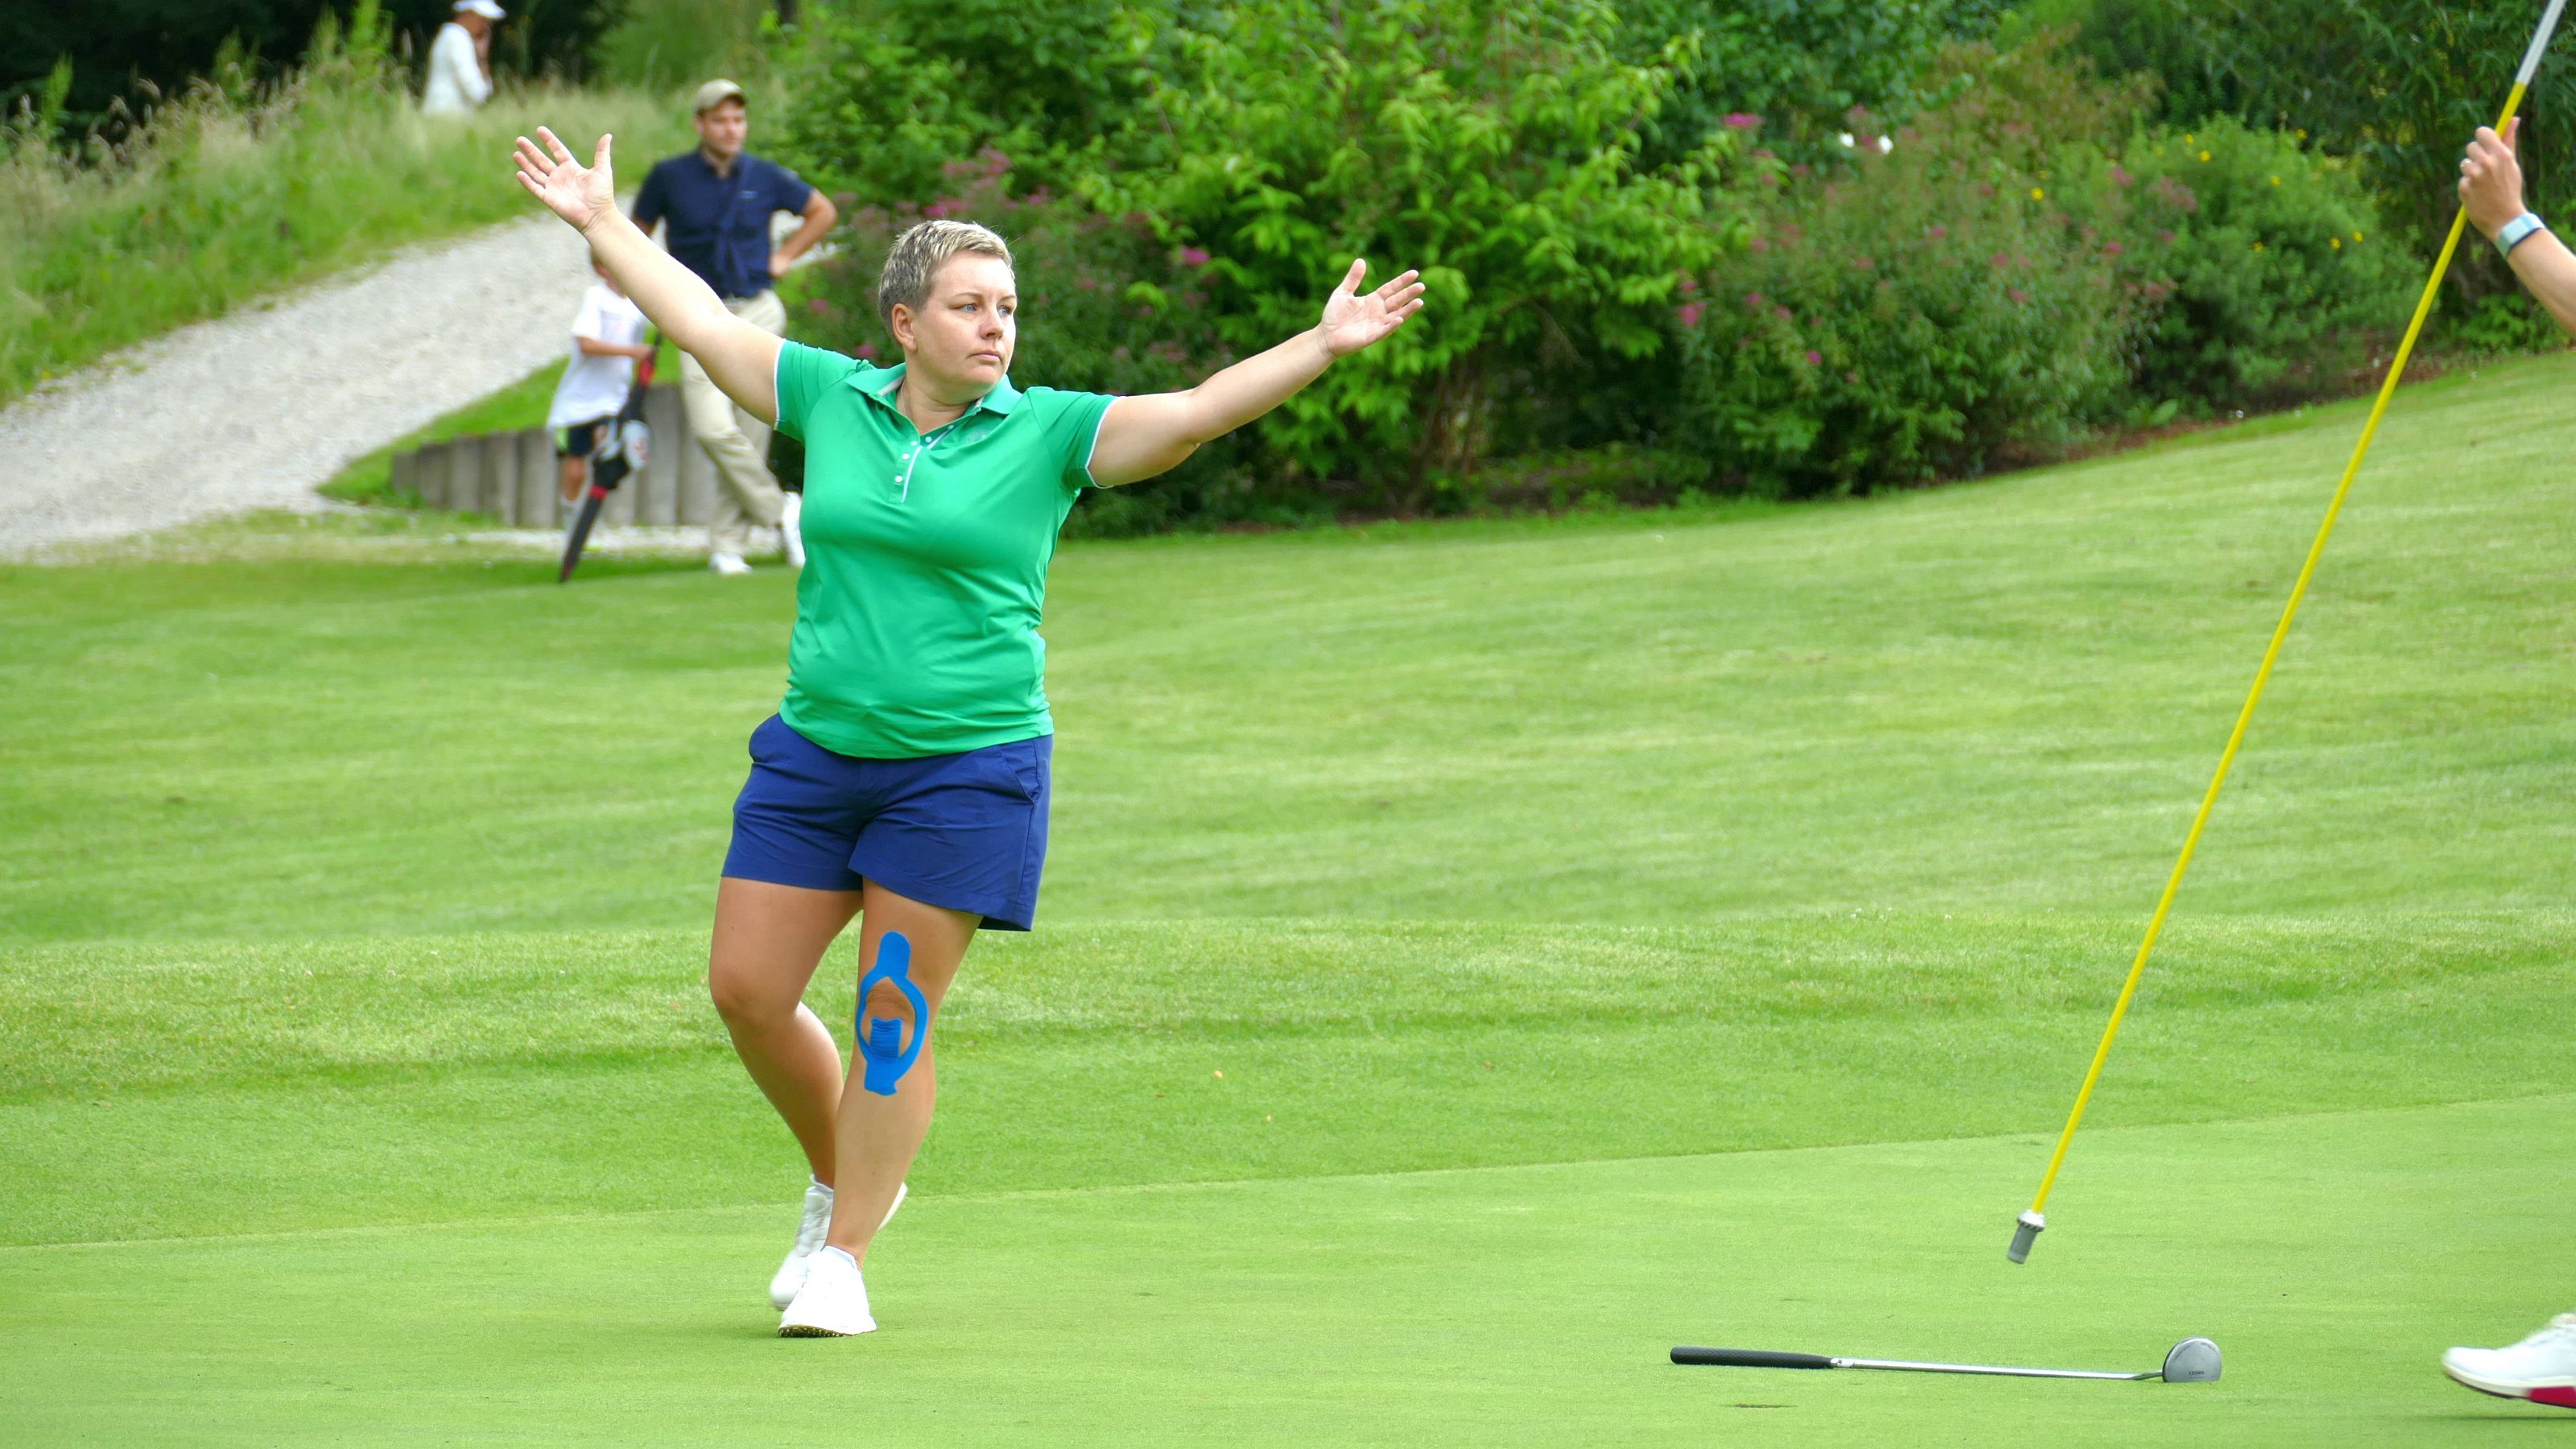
(1122, 1100)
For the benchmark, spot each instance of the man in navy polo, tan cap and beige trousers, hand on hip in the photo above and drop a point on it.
(715, 208)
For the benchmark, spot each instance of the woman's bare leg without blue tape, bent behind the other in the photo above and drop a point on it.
(769, 942)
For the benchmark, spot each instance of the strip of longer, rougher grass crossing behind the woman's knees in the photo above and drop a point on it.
(143, 1017)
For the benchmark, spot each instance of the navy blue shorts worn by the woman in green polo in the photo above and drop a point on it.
(954, 831)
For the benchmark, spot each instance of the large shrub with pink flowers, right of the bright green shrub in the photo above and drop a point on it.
(1931, 311)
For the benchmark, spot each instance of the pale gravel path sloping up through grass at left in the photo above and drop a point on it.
(259, 409)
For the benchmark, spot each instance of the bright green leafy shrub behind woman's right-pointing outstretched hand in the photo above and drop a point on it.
(1493, 148)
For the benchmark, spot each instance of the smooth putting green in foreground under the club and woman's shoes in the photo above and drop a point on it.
(1524, 1306)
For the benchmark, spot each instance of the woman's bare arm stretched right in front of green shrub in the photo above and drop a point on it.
(1150, 434)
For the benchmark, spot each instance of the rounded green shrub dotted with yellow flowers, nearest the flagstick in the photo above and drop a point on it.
(2273, 269)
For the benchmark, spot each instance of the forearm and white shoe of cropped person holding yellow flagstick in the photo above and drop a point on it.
(2544, 1365)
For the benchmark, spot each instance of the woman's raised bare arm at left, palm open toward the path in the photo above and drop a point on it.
(735, 355)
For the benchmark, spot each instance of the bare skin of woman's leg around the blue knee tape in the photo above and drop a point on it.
(880, 1136)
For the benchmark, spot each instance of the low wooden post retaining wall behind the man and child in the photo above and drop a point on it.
(514, 476)
